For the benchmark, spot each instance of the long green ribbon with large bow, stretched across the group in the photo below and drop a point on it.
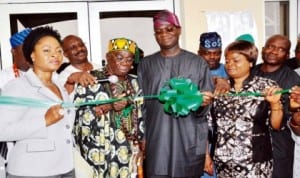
(179, 96)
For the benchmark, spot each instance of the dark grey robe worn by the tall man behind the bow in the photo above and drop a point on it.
(174, 146)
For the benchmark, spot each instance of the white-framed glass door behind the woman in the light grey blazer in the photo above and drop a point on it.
(67, 18)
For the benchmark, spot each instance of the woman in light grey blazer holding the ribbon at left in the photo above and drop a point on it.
(42, 135)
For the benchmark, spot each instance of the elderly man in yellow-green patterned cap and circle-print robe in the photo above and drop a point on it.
(109, 135)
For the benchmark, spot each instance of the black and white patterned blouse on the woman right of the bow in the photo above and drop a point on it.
(243, 146)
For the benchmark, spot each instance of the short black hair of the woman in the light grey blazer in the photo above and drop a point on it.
(34, 36)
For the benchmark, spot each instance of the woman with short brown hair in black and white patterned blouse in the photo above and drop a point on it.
(243, 120)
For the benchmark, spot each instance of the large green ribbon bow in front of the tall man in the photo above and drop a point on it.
(180, 96)
